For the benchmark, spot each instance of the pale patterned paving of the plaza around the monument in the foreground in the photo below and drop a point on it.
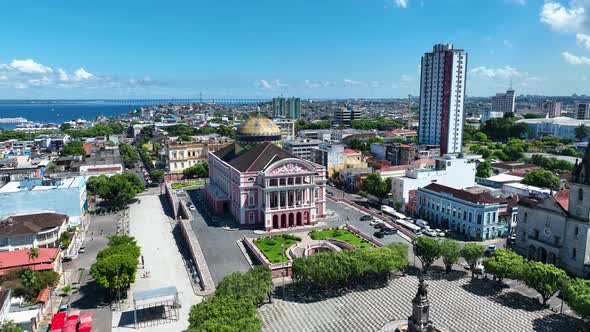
(460, 305)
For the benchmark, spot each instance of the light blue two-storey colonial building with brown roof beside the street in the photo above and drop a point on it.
(472, 216)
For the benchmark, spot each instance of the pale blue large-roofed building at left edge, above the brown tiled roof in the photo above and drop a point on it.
(65, 196)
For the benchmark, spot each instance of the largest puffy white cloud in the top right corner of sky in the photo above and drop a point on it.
(563, 19)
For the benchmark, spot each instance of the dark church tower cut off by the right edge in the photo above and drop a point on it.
(579, 203)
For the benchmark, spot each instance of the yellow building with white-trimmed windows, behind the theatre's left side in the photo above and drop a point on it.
(181, 155)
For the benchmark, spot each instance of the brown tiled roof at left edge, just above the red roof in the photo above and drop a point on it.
(30, 223)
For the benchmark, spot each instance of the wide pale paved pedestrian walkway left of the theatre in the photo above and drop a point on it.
(152, 229)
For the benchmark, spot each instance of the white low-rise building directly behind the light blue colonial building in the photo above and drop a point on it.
(449, 171)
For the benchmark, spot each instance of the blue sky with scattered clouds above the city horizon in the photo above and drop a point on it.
(307, 48)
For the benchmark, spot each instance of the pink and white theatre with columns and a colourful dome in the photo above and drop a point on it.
(261, 184)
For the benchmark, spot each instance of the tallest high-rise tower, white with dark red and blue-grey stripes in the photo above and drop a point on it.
(442, 90)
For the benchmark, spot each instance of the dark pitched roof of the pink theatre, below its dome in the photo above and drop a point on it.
(255, 159)
